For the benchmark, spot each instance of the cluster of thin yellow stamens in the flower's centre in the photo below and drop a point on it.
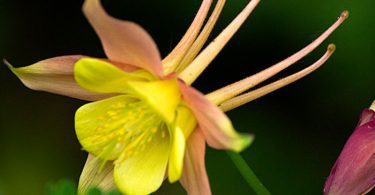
(127, 127)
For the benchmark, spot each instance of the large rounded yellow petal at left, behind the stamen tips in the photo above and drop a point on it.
(99, 123)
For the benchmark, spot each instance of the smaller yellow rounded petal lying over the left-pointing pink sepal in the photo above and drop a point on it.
(102, 77)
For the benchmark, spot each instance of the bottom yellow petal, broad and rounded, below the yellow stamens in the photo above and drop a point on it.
(143, 173)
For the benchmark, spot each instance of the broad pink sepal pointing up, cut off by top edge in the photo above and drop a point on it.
(123, 41)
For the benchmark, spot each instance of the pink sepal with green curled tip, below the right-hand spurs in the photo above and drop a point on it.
(215, 125)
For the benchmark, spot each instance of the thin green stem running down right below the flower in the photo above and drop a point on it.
(248, 174)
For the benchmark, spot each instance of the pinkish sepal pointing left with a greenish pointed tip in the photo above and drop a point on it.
(55, 75)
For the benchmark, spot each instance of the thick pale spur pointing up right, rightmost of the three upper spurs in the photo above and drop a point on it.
(191, 73)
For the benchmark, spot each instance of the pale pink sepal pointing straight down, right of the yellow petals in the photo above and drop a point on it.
(194, 176)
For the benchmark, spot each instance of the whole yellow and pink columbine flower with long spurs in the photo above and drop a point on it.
(149, 123)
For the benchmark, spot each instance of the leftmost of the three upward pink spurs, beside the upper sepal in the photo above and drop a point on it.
(170, 62)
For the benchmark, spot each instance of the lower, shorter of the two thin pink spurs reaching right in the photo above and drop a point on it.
(252, 95)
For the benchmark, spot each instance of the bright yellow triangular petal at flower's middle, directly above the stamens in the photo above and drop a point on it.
(163, 96)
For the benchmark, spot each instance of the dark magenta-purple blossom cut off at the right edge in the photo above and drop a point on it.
(354, 170)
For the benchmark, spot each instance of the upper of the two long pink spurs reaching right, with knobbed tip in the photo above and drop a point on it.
(239, 87)
